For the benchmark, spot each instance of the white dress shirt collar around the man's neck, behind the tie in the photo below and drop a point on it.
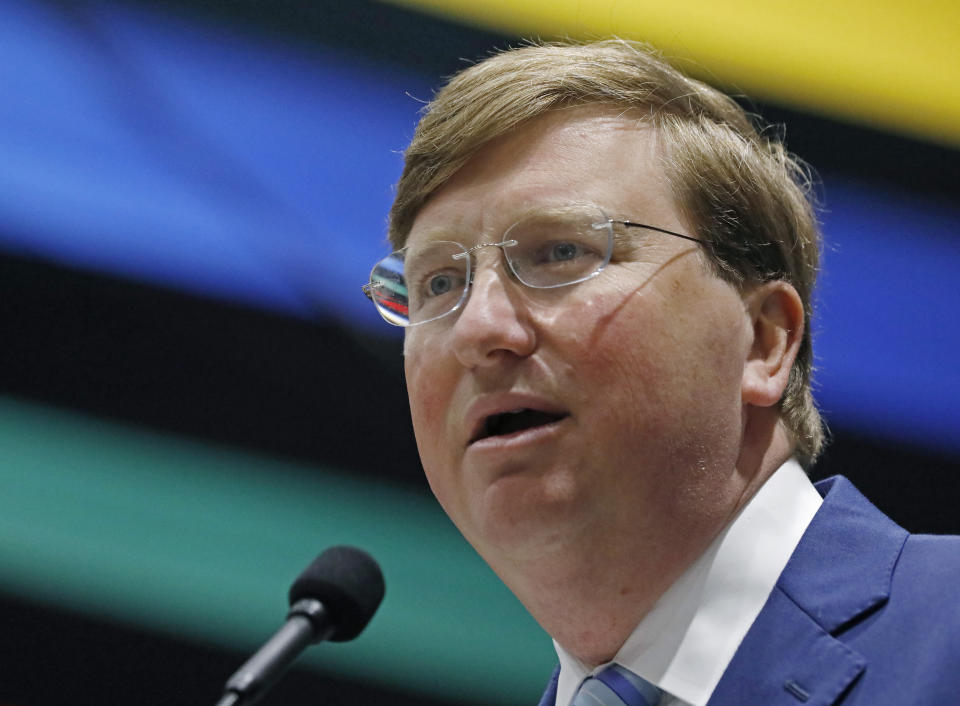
(684, 644)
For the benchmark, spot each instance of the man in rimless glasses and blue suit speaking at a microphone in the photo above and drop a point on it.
(605, 272)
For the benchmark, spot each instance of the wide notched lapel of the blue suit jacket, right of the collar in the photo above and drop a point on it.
(841, 570)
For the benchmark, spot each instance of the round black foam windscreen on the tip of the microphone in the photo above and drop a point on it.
(348, 582)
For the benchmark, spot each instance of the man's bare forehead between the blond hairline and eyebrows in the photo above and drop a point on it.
(587, 154)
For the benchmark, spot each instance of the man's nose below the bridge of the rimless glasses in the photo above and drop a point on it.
(494, 322)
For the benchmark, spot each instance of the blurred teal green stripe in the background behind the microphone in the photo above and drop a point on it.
(203, 542)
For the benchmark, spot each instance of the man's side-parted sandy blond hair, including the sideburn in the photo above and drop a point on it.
(739, 187)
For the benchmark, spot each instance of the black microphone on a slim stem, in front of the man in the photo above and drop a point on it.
(333, 599)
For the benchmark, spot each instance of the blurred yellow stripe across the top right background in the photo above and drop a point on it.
(890, 63)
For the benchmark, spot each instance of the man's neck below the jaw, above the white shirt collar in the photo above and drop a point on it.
(590, 593)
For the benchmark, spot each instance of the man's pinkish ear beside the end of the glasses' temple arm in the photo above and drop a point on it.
(776, 312)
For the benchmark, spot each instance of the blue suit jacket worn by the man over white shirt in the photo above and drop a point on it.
(864, 614)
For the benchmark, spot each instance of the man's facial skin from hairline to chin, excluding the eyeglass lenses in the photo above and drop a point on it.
(632, 378)
